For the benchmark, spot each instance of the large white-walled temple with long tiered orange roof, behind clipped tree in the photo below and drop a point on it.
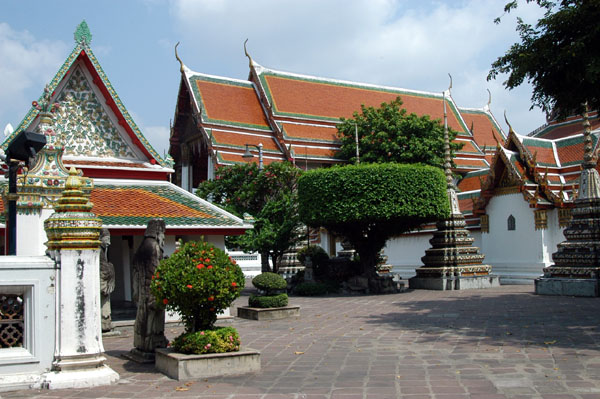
(515, 191)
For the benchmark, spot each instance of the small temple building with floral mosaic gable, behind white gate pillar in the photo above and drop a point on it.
(129, 182)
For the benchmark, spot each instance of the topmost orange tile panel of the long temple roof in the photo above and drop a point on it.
(314, 98)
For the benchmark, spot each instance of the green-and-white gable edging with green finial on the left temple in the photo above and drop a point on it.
(82, 49)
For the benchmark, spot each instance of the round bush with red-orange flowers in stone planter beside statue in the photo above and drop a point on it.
(198, 281)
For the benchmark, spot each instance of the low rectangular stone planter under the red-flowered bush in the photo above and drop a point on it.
(187, 367)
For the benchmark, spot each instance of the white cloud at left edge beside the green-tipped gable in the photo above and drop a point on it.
(27, 66)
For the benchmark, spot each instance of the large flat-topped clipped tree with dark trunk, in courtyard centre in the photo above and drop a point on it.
(368, 204)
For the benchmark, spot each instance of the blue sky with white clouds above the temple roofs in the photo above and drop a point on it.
(409, 44)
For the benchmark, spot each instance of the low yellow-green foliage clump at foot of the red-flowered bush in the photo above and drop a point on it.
(217, 340)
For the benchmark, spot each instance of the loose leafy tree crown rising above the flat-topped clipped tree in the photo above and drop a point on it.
(390, 134)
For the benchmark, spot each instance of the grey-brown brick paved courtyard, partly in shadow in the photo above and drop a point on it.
(498, 343)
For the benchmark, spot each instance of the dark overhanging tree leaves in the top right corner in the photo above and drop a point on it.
(560, 56)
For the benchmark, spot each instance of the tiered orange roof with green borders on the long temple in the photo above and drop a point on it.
(295, 116)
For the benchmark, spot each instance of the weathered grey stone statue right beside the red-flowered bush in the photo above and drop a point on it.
(149, 324)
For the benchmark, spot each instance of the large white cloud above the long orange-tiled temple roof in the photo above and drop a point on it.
(400, 43)
